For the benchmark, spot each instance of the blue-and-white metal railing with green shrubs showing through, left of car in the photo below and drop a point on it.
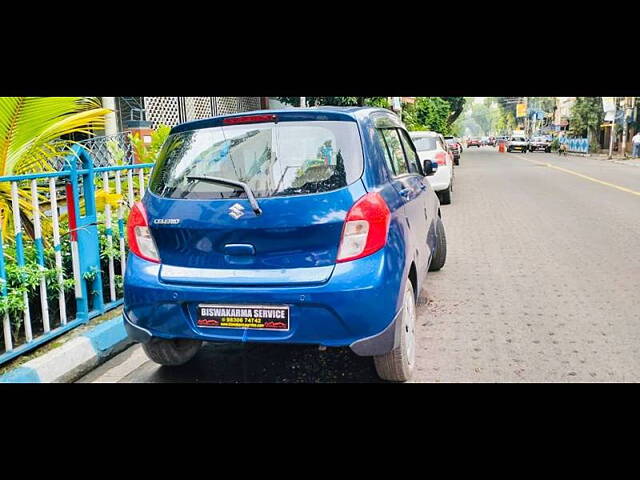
(62, 262)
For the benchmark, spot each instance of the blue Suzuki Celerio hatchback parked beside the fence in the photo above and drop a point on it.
(309, 226)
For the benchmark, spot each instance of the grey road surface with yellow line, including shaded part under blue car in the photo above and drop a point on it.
(541, 284)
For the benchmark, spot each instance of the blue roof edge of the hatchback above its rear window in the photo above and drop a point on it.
(327, 113)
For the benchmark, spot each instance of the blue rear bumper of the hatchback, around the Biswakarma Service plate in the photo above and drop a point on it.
(357, 307)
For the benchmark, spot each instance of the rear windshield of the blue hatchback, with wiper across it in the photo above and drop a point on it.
(287, 158)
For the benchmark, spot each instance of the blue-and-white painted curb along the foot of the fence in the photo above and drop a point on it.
(74, 358)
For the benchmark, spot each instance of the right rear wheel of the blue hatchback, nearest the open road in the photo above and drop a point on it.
(398, 364)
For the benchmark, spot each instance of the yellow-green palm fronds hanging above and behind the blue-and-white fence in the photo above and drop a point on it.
(30, 138)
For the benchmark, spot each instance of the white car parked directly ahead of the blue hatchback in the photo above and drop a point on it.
(432, 146)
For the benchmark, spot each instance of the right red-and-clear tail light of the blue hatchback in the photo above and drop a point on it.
(365, 228)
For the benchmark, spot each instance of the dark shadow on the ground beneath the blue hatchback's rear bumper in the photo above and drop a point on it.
(256, 363)
